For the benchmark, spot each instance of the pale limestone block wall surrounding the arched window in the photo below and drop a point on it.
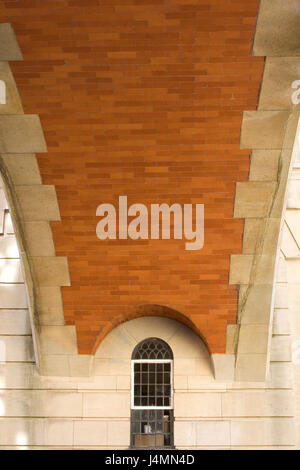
(75, 412)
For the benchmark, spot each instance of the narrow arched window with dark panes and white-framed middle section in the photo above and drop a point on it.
(152, 395)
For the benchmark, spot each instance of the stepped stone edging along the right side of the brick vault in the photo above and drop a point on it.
(270, 132)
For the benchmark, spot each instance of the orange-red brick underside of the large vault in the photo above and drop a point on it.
(142, 98)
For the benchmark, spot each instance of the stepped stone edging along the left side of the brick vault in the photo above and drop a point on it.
(33, 206)
